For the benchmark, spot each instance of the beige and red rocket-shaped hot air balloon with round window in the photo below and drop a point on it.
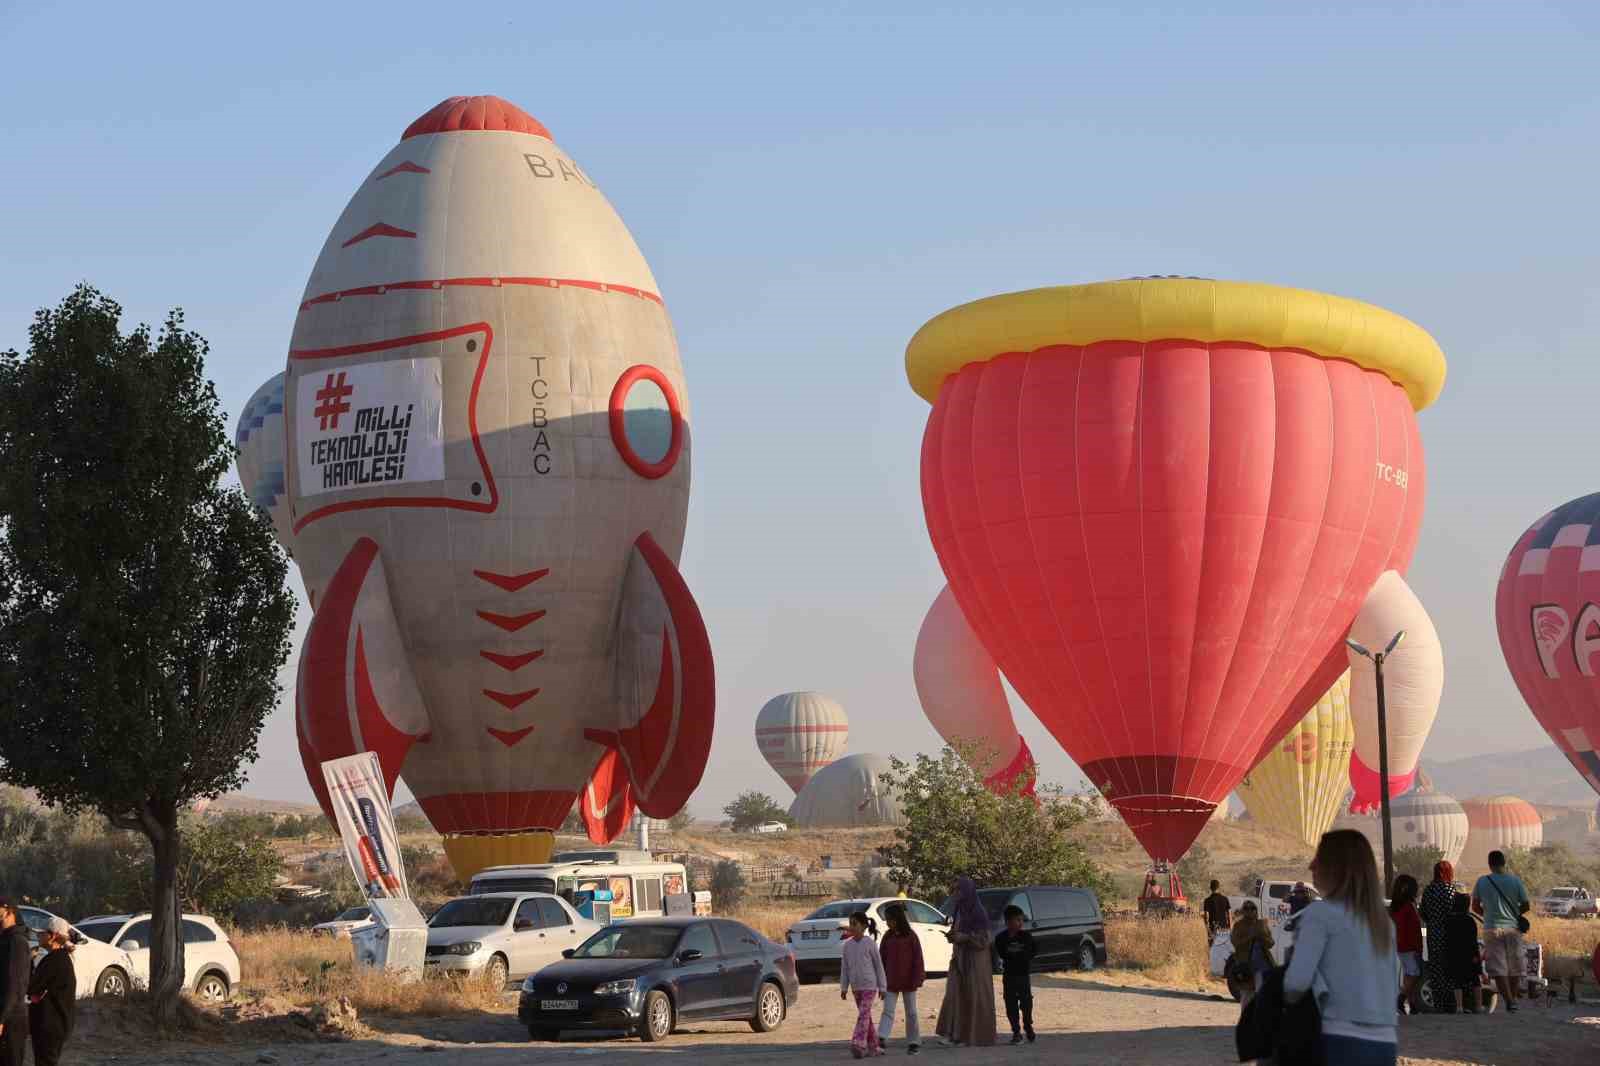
(487, 449)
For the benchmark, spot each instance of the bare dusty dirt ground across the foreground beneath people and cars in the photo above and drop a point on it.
(1095, 1019)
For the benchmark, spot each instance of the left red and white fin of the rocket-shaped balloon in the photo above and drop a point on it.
(356, 691)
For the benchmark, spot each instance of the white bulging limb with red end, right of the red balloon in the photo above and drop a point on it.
(1414, 683)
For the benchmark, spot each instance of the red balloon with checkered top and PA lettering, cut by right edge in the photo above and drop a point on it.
(1548, 614)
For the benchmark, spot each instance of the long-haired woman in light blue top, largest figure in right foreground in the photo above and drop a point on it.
(1348, 942)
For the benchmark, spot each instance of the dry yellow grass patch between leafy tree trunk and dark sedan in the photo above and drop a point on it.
(302, 971)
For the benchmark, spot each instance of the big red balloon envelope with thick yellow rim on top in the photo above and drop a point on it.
(1161, 505)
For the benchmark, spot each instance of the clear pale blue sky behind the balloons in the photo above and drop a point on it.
(810, 188)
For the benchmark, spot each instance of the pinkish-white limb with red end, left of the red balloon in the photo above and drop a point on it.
(959, 687)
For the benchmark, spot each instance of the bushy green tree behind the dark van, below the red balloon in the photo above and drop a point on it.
(954, 827)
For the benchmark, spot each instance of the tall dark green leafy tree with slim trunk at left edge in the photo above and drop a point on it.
(143, 606)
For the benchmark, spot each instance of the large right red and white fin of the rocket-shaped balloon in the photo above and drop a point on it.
(665, 686)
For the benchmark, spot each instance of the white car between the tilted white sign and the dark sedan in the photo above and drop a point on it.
(503, 936)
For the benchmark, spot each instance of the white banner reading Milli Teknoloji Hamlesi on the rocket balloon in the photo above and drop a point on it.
(370, 425)
